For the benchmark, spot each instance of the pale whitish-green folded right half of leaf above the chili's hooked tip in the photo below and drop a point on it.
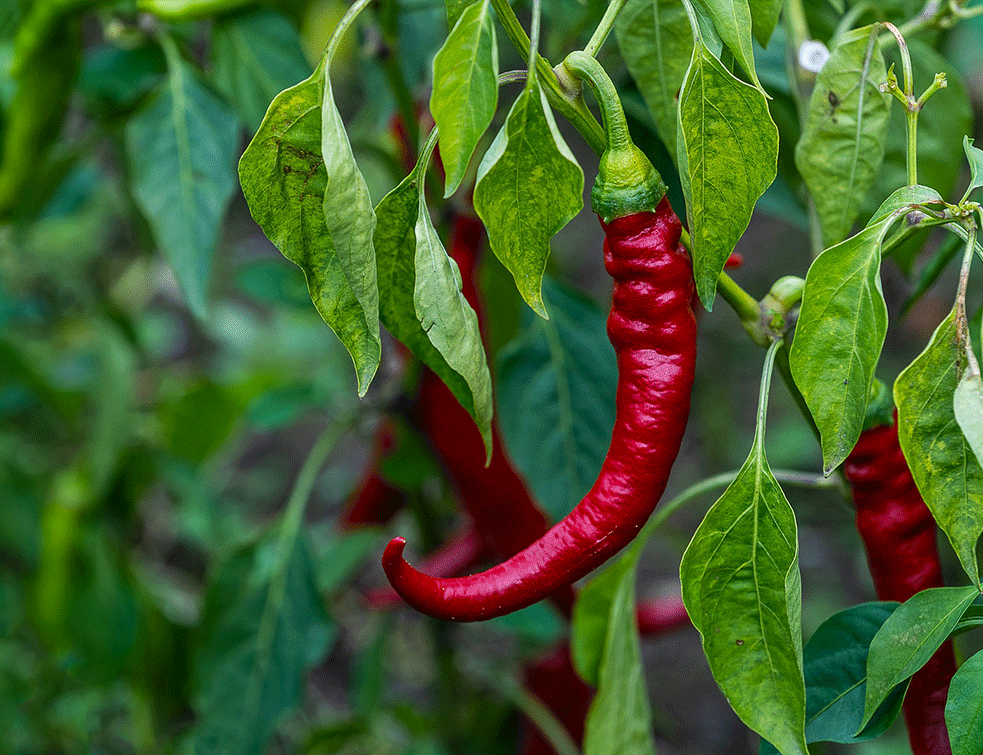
(448, 320)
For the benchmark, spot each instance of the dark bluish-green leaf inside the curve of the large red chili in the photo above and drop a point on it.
(556, 391)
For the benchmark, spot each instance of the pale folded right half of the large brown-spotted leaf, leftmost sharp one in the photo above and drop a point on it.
(349, 213)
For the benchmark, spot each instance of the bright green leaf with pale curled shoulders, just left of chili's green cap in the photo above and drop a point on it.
(529, 186)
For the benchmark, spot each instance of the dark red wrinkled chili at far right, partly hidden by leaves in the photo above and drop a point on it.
(899, 535)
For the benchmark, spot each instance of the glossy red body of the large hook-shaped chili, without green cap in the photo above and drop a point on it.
(653, 331)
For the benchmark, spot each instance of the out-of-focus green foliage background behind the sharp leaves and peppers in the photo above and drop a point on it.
(164, 378)
